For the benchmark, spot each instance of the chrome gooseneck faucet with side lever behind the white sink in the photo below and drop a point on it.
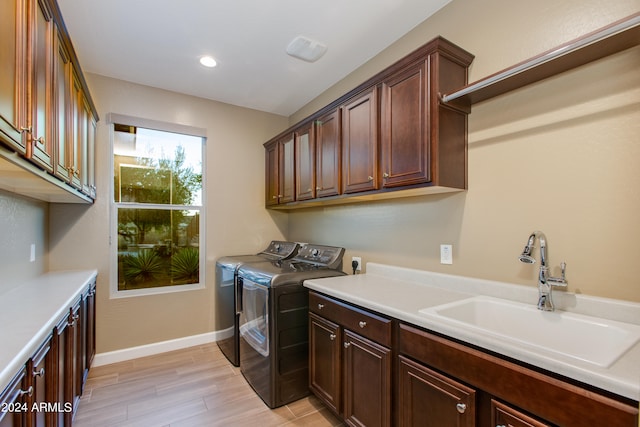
(545, 282)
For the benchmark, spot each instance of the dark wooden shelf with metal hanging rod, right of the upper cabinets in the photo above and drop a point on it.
(613, 38)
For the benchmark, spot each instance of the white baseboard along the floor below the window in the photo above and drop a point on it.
(155, 348)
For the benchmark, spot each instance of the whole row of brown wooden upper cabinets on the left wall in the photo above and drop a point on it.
(47, 116)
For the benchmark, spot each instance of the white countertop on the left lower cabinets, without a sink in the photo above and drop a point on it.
(29, 313)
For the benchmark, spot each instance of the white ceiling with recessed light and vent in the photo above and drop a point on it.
(158, 43)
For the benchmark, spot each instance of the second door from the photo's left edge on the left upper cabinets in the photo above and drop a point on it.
(39, 144)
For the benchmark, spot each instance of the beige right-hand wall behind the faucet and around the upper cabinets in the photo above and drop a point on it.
(560, 156)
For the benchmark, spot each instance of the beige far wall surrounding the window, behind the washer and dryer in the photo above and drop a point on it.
(236, 221)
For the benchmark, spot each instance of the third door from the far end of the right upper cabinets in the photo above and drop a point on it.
(305, 155)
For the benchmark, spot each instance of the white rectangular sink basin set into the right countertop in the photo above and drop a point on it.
(590, 339)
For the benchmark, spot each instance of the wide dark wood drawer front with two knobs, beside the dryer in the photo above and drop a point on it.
(365, 323)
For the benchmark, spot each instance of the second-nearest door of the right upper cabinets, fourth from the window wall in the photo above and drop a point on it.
(360, 143)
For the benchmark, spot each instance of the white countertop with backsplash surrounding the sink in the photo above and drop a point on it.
(401, 293)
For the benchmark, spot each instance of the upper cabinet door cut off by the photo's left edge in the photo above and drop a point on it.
(13, 73)
